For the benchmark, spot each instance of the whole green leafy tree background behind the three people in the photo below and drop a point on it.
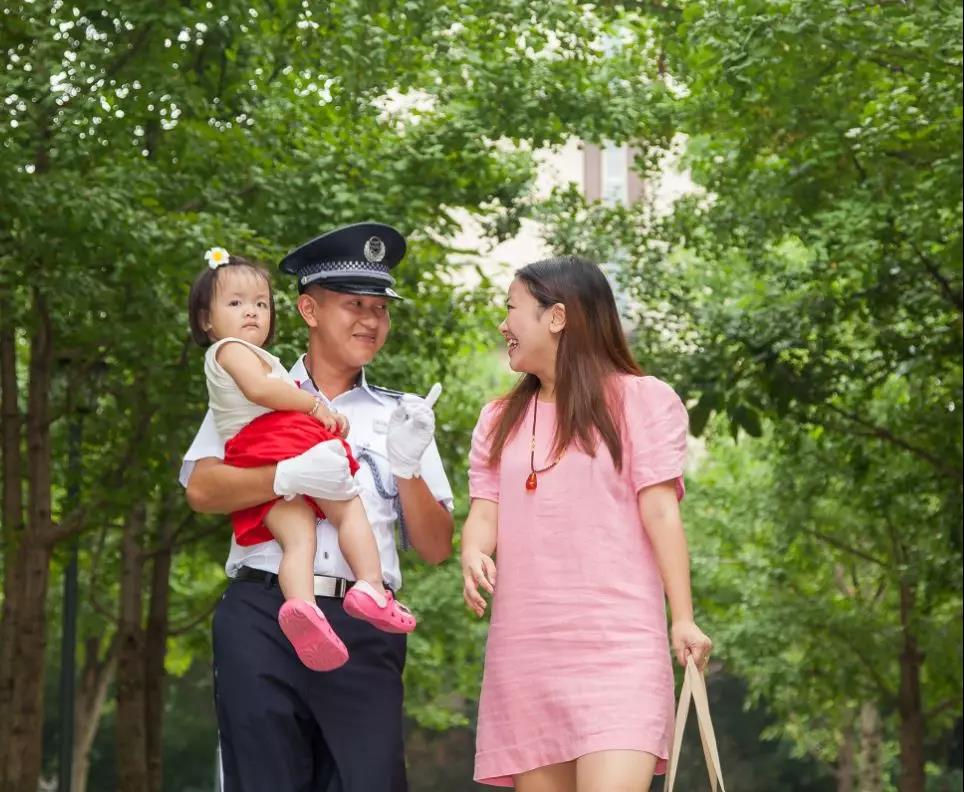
(804, 299)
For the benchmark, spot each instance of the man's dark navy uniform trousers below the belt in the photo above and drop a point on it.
(285, 728)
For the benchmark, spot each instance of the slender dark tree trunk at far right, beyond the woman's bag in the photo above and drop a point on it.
(912, 776)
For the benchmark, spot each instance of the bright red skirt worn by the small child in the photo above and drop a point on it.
(271, 438)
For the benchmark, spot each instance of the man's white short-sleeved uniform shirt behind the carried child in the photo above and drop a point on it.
(368, 411)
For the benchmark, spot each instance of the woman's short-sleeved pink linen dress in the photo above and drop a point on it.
(578, 657)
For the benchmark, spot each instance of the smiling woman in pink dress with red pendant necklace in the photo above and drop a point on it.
(575, 478)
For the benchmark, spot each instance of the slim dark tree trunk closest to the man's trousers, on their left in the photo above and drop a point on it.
(155, 652)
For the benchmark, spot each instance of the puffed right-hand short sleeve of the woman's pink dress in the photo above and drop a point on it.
(656, 422)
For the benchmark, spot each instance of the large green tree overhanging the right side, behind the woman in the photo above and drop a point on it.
(812, 279)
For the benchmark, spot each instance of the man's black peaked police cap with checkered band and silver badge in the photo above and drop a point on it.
(355, 259)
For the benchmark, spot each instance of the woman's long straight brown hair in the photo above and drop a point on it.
(591, 349)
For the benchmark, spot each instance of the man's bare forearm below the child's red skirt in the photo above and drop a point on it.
(216, 488)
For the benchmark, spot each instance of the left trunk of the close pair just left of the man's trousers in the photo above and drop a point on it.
(132, 775)
